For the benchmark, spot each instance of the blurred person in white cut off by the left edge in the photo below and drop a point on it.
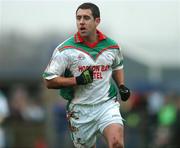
(4, 112)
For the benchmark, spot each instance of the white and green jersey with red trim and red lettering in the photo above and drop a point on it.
(75, 55)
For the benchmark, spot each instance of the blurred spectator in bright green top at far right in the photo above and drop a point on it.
(166, 119)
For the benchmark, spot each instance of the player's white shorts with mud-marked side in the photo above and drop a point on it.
(86, 121)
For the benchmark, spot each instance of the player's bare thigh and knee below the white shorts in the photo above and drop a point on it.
(114, 135)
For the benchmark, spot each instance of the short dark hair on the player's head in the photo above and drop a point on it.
(94, 9)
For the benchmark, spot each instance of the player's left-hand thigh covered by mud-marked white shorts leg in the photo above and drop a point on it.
(82, 127)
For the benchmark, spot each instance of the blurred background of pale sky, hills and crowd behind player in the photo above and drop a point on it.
(148, 32)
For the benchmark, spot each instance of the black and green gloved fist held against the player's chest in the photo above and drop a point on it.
(85, 77)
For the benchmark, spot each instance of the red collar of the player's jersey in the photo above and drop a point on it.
(79, 39)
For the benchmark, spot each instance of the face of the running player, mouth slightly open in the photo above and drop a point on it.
(86, 24)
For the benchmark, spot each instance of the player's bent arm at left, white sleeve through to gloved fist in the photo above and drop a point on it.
(53, 75)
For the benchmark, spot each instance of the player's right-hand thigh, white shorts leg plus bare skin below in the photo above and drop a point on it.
(111, 124)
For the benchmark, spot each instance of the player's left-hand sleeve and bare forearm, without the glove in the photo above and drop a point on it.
(54, 74)
